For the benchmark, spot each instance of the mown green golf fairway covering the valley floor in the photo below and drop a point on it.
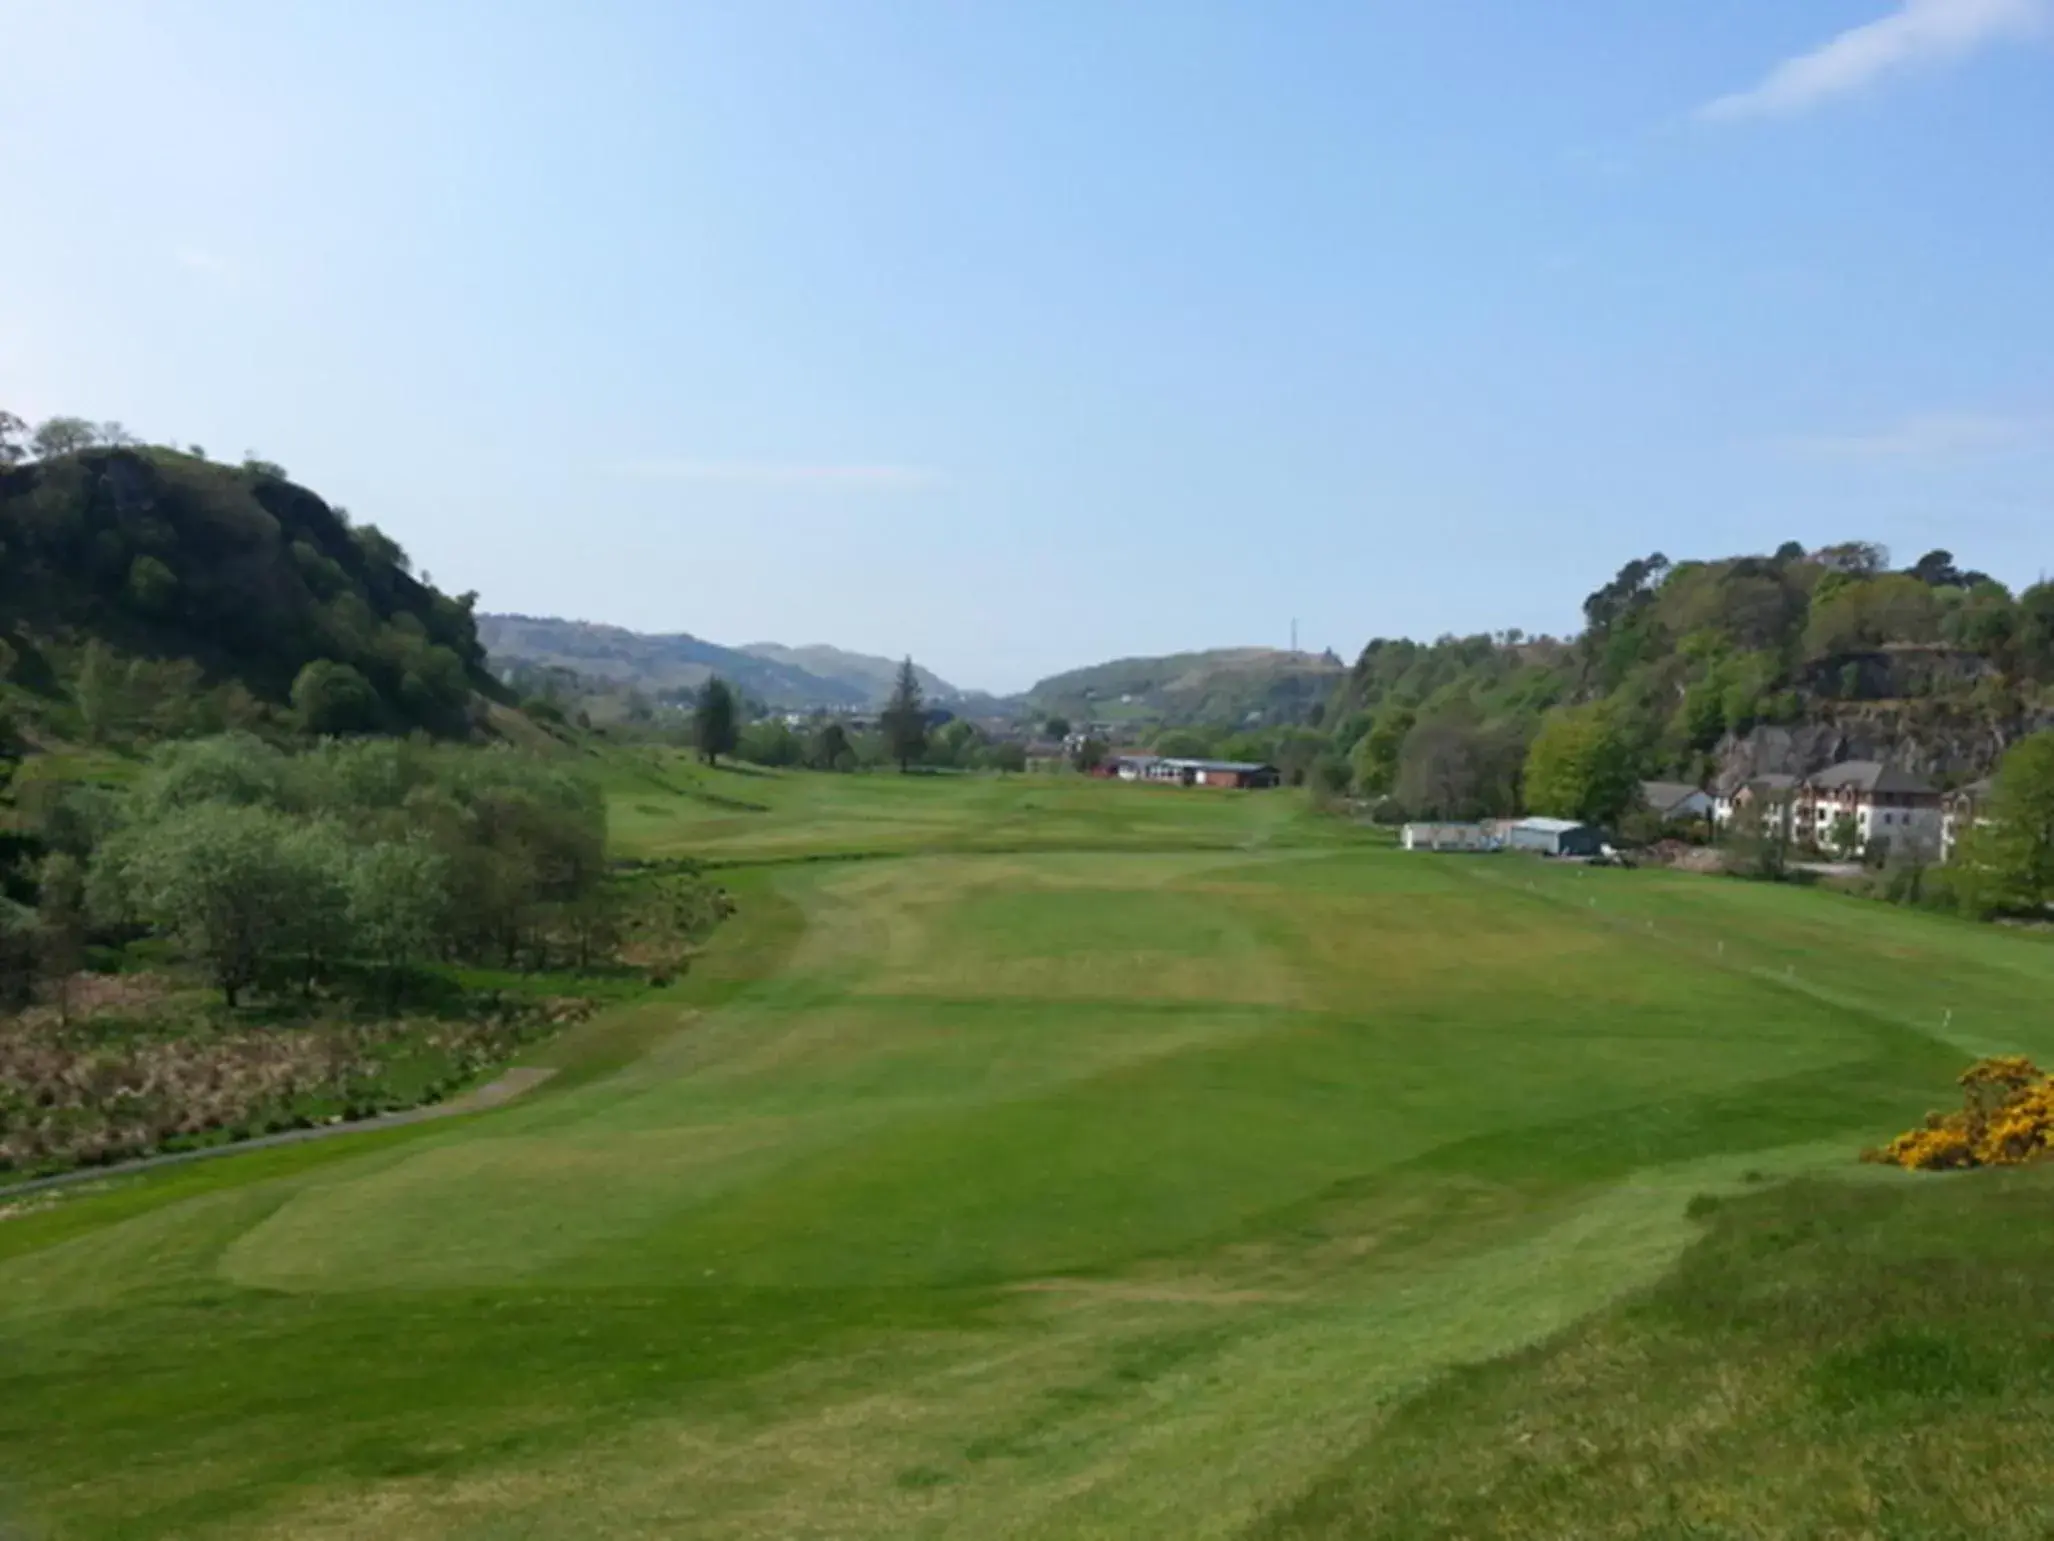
(1063, 1160)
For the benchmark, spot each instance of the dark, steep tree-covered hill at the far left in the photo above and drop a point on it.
(155, 591)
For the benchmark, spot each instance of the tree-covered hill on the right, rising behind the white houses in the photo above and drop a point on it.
(1714, 671)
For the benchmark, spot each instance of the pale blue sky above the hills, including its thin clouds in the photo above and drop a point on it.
(1024, 336)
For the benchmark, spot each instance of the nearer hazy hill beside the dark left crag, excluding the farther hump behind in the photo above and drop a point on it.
(660, 665)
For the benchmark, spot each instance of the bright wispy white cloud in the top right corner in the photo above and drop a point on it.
(1915, 34)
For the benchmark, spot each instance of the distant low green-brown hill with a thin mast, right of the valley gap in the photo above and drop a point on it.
(1227, 687)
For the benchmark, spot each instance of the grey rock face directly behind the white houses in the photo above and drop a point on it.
(1917, 737)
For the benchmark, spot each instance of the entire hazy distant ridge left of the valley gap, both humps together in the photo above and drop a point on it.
(792, 679)
